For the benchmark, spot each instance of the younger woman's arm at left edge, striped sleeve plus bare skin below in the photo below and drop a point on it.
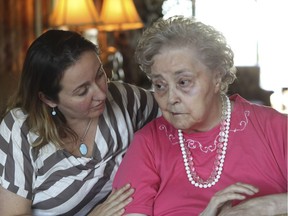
(18, 200)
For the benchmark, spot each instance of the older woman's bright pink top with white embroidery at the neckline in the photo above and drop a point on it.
(256, 154)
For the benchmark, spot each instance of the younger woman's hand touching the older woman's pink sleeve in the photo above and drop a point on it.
(115, 203)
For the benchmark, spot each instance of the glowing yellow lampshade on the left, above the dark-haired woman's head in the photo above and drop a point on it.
(74, 14)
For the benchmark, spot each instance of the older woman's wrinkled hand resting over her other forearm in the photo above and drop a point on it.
(222, 200)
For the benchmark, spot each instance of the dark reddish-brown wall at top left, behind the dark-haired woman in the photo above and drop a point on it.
(17, 31)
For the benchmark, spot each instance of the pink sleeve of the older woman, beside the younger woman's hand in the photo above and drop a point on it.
(139, 169)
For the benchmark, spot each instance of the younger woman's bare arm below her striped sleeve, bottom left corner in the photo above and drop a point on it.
(13, 204)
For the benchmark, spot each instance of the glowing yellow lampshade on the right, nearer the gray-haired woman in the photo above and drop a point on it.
(119, 15)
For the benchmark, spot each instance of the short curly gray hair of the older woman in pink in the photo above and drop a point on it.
(179, 31)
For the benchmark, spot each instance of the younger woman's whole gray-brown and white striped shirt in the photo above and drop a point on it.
(59, 183)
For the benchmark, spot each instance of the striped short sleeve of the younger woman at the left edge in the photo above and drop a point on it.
(16, 170)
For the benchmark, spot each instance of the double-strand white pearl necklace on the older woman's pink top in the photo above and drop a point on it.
(193, 177)
